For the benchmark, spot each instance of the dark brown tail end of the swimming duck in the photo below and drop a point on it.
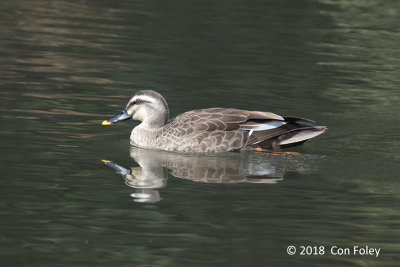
(294, 131)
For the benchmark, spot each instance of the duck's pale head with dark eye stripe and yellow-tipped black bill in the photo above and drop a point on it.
(147, 106)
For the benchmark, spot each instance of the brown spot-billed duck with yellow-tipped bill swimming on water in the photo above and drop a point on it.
(210, 130)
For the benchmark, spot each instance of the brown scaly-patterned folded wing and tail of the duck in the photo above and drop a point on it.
(246, 129)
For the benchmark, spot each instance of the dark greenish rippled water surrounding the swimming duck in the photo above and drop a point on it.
(67, 65)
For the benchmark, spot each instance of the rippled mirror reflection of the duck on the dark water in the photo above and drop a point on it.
(227, 168)
